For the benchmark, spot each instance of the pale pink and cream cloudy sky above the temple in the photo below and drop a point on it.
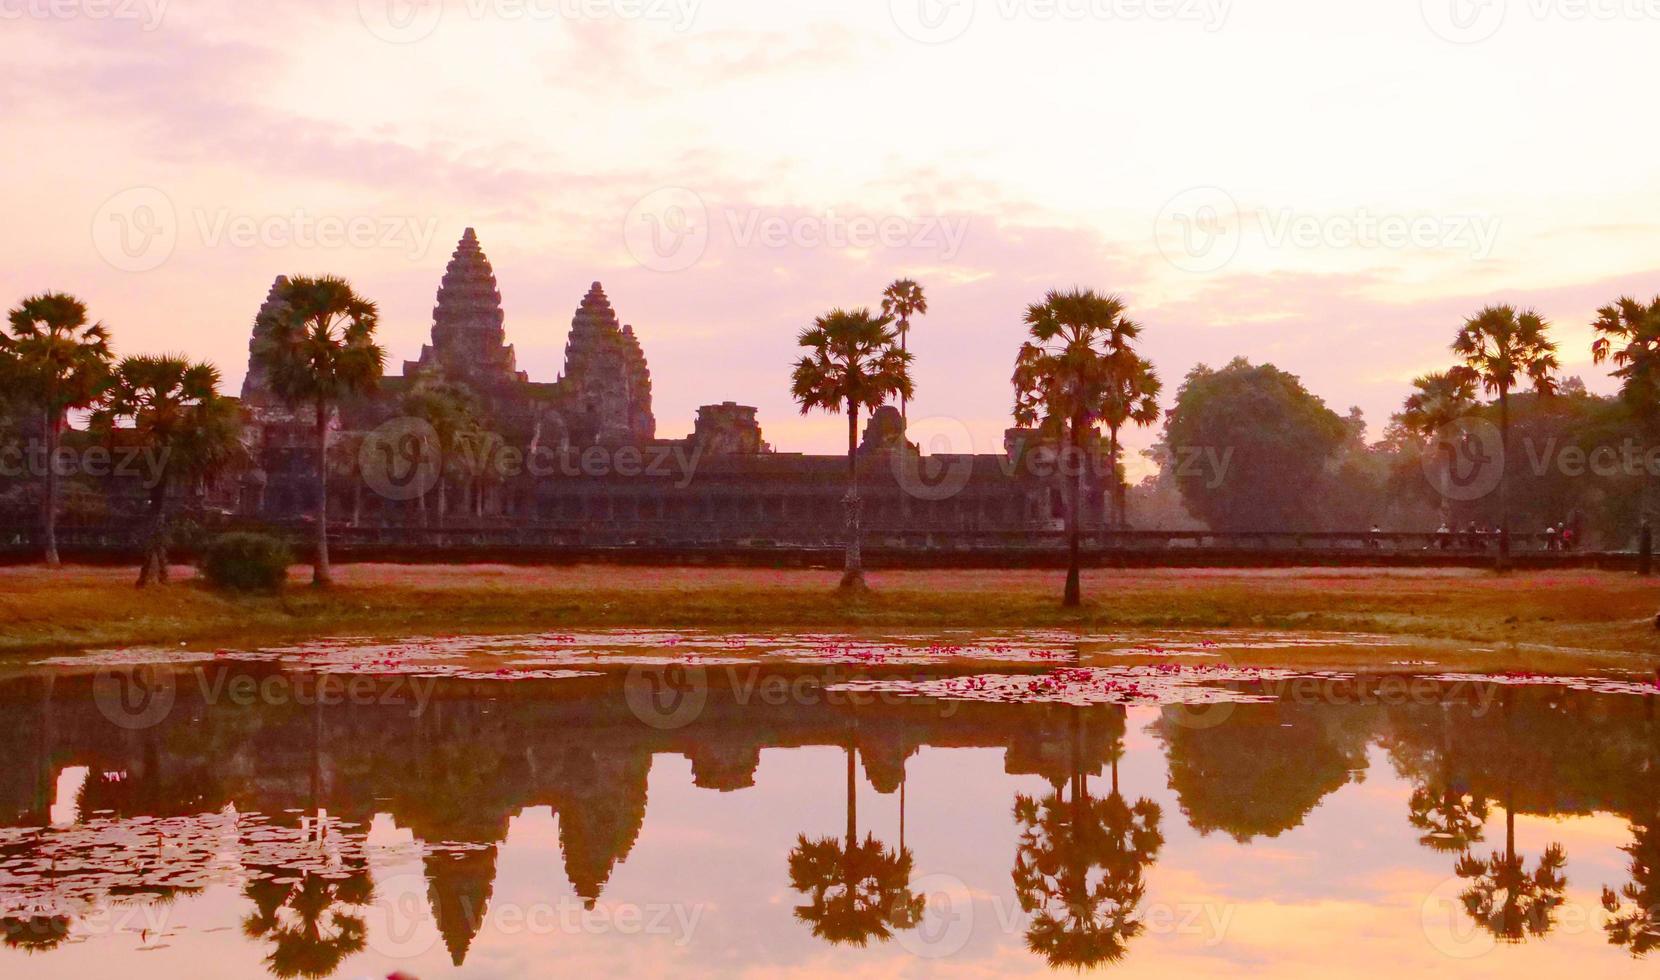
(1327, 187)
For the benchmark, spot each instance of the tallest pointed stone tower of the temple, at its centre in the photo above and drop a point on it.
(469, 340)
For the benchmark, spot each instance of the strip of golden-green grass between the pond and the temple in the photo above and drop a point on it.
(99, 607)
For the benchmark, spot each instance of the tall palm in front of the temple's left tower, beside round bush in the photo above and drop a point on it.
(318, 346)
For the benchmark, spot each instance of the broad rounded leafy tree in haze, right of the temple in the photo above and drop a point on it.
(1259, 448)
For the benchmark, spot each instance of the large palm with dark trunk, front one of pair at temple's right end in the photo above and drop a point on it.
(1063, 378)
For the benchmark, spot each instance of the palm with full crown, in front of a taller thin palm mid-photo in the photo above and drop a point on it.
(852, 366)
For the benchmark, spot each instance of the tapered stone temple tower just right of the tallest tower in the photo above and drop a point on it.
(607, 386)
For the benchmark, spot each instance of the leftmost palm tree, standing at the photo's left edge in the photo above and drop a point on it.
(57, 365)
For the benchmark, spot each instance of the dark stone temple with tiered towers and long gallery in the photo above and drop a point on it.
(583, 453)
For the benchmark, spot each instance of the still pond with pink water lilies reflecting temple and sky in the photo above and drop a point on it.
(698, 805)
